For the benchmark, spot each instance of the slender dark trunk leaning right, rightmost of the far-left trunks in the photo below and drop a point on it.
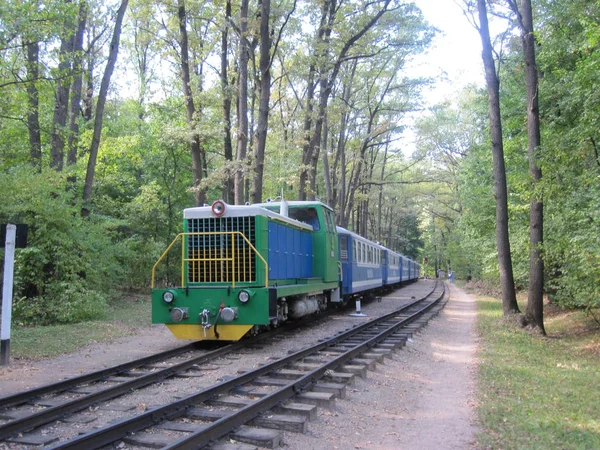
(110, 66)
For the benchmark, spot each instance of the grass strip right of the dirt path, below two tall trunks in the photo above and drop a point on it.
(536, 392)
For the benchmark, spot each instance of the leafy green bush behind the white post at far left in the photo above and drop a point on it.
(64, 273)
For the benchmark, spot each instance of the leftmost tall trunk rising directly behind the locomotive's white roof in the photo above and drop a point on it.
(196, 150)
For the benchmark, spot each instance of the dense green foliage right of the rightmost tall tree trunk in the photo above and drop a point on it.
(569, 59)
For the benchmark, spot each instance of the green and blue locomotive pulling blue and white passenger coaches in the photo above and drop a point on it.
(246, 268)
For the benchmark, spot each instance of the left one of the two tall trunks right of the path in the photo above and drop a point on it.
(509, 298)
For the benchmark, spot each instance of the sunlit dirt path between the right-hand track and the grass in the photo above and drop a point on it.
(421, 399)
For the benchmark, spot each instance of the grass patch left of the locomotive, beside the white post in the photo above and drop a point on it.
(124, 317)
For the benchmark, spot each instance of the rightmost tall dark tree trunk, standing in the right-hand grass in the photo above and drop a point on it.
(534, 313)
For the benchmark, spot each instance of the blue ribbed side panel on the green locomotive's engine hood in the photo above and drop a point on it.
(290, 252)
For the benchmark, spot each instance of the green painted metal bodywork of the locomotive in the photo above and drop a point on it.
(261, 308)
